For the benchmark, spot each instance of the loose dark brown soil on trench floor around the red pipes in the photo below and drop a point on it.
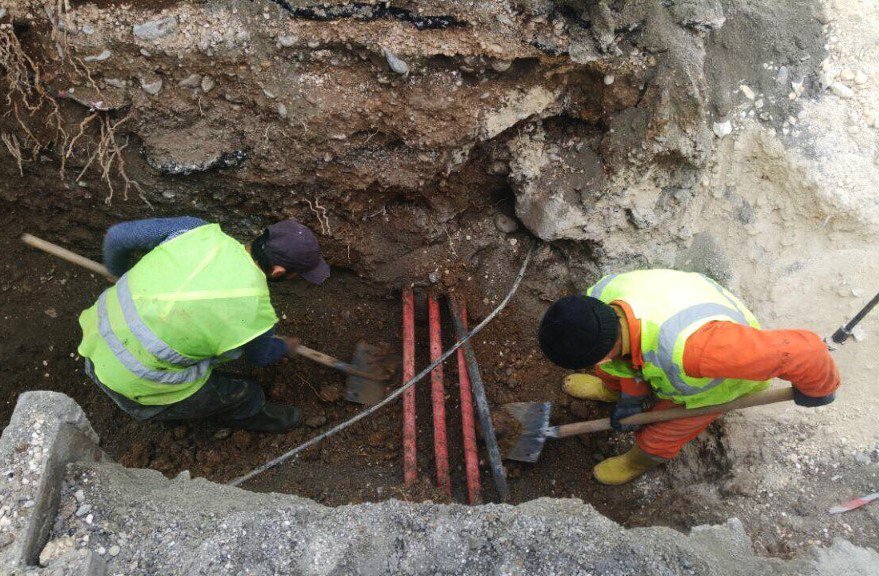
(41, 299)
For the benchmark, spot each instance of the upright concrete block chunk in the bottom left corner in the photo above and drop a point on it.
(47, 431)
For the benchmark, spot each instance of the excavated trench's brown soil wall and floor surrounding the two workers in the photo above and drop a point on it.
(427, 144)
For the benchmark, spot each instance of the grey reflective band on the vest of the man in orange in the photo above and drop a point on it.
(670, 331)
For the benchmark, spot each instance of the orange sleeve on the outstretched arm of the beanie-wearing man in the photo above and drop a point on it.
(730, 350)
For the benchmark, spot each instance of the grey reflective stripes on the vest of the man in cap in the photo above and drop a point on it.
(191, 373)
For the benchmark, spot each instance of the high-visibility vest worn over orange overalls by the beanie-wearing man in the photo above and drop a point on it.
(672, 305)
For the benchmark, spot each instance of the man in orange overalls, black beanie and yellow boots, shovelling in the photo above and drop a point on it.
(655, 339)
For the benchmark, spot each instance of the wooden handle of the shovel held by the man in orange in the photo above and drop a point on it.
(758, 399)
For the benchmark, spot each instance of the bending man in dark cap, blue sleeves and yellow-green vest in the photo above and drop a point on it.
(197, 299)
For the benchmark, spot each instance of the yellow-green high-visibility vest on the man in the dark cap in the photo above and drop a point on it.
(187, 305)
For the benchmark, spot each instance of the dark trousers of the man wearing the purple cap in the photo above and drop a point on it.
(224, 397)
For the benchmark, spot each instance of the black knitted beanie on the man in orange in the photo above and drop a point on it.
(578, 331)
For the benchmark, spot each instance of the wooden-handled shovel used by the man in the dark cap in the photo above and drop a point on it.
(370, 366)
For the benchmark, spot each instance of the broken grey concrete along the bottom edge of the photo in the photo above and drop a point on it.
(140, 522)
